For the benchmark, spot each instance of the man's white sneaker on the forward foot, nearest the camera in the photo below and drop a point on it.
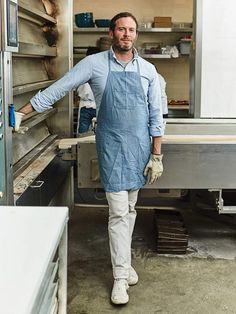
(119, 293)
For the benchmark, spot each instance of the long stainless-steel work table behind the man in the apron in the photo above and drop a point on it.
(193, 161)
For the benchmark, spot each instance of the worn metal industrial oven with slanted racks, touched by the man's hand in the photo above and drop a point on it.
(36, 49)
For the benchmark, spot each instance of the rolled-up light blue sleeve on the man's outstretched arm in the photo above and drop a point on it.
(78, 75)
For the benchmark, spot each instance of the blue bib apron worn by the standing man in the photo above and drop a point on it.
(122, 134)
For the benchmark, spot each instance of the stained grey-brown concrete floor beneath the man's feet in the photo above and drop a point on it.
(202, 281)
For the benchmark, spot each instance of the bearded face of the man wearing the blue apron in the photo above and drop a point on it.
(125, 34)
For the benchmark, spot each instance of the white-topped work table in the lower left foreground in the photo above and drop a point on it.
(33, 262)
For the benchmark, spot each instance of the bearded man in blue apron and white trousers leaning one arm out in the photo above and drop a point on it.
(128, 98)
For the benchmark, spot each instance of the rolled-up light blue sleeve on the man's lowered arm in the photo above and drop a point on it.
(156, 124)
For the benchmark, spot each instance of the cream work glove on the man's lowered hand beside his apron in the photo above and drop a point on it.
(154, 168)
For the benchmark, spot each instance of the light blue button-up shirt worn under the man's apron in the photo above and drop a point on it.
(94, 70)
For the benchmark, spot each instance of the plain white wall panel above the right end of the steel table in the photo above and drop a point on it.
(218, 77)
